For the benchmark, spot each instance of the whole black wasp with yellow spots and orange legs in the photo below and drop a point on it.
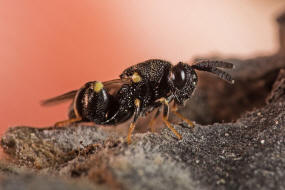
(140, 89)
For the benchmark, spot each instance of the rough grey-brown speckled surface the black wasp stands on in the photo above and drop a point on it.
(247, 152)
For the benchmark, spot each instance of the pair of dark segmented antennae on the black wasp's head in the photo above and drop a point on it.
(211, 66)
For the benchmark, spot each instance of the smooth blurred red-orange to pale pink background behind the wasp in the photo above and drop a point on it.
(50, 47)
